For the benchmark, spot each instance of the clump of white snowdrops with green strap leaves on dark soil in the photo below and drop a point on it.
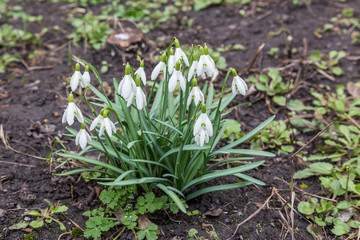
(166, 139)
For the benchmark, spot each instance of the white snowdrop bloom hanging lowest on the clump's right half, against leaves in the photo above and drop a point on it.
(203, 128)
